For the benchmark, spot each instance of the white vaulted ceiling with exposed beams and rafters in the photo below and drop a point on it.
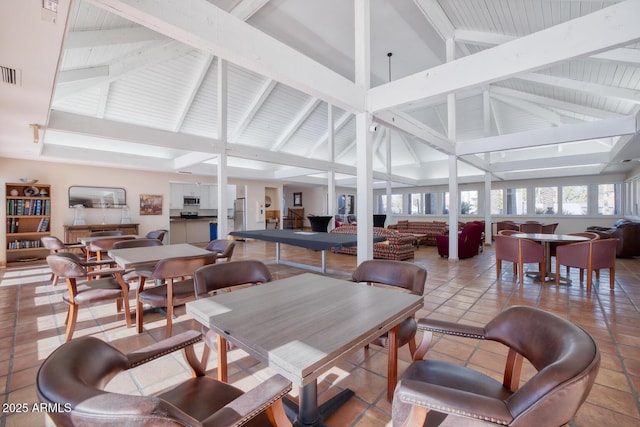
(544, 88)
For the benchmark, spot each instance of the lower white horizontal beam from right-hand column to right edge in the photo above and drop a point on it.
(556, 135)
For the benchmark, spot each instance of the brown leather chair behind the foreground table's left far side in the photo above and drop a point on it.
(213, 278)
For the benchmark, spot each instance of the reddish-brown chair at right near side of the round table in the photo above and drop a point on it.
(591, 256)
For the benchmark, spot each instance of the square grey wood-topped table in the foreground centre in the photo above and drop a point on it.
(303, 325)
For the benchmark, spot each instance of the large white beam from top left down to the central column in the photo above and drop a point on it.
(204, 26)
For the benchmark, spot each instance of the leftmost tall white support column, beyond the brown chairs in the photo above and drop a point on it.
(222, 157)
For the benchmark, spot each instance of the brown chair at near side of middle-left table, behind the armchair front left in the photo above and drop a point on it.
(175, 291)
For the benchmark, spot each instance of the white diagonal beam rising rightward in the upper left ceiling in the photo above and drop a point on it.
(130, 63)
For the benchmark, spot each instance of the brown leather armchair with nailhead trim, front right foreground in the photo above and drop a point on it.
(565, 357)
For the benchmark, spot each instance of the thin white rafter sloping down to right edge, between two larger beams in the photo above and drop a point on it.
(610, 92)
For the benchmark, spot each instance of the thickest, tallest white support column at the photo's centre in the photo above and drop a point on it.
(364, 174)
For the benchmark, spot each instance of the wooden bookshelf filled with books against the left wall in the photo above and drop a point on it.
(28, 218)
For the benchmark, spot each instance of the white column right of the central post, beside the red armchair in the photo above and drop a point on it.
(453, 164)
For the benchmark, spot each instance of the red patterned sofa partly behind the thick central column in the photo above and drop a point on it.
(398, 246)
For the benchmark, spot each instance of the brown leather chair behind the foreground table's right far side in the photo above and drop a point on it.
(402, 274)
